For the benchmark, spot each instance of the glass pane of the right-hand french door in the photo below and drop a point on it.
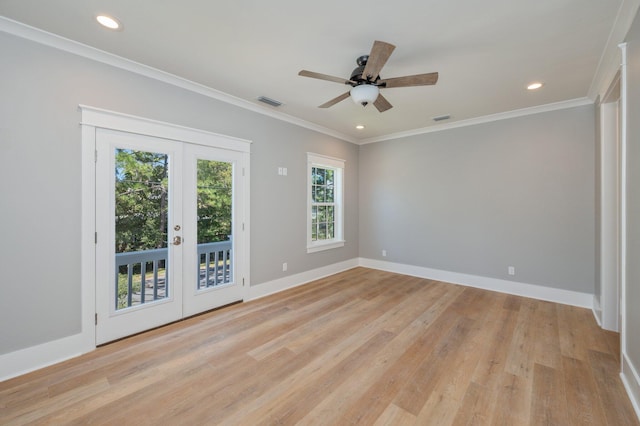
(214, 209)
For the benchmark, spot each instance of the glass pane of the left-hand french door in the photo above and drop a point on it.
(141, 222)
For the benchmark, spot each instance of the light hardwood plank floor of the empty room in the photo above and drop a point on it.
(361, 347)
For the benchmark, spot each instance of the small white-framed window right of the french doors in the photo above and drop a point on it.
(324, 205)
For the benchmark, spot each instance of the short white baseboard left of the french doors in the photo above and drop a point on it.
(23, 361)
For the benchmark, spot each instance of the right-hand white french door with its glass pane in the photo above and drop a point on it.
(213, 199)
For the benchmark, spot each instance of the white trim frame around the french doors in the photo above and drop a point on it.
(94, 118)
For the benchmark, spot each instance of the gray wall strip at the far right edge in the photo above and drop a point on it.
(632, 348)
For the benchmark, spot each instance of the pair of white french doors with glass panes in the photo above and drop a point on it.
(169, 231)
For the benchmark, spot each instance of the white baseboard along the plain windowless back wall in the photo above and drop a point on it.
(567, 297)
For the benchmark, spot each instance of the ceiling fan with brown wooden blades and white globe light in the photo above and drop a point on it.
(365, 80)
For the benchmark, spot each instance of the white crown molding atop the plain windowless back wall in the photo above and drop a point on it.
(484, 119)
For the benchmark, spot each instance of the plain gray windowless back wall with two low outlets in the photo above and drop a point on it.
(475, 200)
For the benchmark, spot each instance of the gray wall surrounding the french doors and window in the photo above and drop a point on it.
(40, 200)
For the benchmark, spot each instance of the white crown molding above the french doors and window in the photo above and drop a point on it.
(37, 35)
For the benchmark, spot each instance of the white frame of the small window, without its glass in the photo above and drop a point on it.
(337, 165)
